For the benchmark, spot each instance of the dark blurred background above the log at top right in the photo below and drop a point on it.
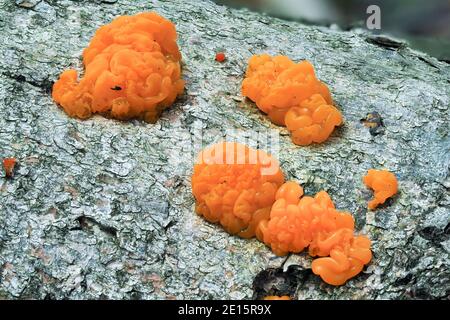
(425, 24)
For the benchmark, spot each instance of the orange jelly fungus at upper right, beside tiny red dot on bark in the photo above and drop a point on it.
(291, 95)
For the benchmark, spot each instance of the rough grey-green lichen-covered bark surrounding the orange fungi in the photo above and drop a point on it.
(102, 208)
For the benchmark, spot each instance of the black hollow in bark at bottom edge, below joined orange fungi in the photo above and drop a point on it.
(276, 282)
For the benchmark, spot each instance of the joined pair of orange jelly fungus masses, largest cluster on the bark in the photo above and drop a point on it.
(231, 188)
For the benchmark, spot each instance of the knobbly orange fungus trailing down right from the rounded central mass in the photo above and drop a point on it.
(297, 222)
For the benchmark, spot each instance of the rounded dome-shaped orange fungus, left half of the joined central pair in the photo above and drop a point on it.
(235, 186)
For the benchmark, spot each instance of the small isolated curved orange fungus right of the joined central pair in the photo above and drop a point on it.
(384, 185)
